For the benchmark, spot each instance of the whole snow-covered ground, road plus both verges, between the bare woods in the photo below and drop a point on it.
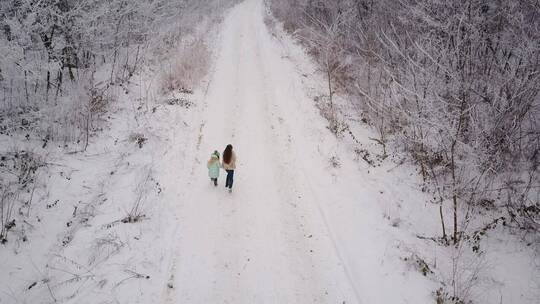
(307, 221)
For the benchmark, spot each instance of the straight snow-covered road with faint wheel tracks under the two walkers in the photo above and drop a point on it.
(251, 246)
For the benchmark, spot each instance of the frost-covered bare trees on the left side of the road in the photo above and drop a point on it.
(55, 53)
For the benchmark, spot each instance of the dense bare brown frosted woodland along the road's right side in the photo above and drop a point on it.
(454, 84)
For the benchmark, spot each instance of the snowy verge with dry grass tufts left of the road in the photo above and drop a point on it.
(100, 228)
